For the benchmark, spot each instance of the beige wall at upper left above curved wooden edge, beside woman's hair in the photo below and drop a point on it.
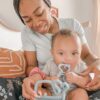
(8, 14)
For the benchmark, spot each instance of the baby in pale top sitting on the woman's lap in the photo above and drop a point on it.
(66, 49)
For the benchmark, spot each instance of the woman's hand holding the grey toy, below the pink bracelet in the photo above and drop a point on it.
(28, 86)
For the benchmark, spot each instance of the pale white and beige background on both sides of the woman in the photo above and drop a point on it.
(83, 10)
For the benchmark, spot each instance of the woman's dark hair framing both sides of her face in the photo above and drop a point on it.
(16, 7)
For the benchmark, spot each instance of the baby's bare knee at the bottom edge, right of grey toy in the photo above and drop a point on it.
(77, 94)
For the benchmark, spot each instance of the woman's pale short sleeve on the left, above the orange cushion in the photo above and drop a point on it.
(27, 43)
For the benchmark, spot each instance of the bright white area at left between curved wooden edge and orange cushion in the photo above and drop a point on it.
(9, 39)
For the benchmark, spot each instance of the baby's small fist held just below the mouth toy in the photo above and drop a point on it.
(71, 77)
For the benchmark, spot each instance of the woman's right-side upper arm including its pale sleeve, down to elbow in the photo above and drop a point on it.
(87, 55)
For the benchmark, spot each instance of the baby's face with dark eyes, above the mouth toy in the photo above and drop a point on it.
(67, 50)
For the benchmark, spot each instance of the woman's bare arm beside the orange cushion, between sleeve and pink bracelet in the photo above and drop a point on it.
(31, 60)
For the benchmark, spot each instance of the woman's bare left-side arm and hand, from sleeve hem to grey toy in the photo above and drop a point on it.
(28, 82)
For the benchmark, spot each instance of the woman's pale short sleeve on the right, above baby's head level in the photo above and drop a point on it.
(78, 28)
